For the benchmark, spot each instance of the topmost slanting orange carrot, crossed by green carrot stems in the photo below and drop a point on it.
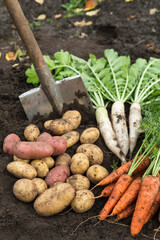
(112, 177)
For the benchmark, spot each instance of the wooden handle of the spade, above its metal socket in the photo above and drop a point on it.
(25, 32)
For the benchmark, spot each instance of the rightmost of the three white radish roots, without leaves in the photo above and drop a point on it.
(135, 117)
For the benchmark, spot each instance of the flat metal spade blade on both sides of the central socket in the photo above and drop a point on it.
(73, 92)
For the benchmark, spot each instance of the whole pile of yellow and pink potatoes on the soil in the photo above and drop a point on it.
(47, 174)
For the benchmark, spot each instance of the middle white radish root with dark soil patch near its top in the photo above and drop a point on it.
(120, 126)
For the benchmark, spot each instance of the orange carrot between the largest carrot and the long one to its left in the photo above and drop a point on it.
(128, 197)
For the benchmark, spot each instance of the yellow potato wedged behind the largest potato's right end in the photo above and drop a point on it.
(79, 182)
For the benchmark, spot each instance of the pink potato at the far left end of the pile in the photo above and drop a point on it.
(9, 143)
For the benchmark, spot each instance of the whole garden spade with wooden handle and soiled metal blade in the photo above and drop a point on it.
(50, 96)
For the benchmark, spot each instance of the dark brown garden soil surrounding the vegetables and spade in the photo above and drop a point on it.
(127, 27)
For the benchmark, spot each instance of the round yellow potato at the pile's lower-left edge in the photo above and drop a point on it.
(25, 190)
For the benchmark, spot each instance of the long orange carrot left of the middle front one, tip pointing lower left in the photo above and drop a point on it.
(119, 188)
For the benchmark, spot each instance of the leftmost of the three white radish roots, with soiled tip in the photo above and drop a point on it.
(108, 134)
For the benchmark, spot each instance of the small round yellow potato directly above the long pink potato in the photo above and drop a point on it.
(31, 133)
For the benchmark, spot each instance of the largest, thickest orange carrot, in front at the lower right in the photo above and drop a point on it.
(149, 189)
